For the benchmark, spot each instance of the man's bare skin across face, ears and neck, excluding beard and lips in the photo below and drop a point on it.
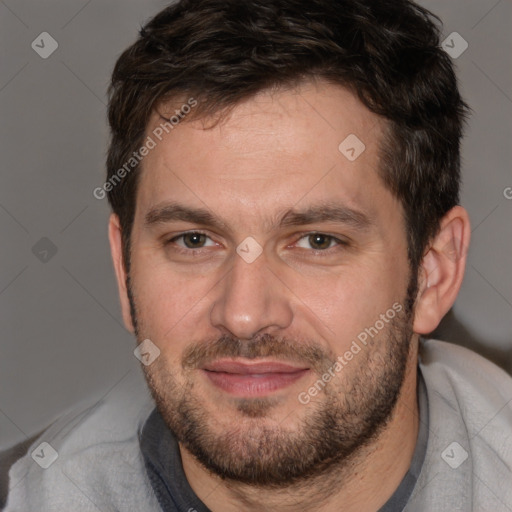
(277, 152)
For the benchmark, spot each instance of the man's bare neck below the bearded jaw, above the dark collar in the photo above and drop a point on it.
(365, 481)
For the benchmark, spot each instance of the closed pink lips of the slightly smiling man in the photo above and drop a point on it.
(251, 379)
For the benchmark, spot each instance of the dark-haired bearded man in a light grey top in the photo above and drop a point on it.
(284, 178)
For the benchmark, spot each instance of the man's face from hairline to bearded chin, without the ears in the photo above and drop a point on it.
(244, 336)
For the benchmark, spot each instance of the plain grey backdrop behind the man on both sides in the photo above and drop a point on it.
(62, 334)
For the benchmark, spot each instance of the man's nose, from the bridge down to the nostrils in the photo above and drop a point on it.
(251, 300)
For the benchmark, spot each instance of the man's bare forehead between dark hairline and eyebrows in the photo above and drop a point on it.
(270, 153)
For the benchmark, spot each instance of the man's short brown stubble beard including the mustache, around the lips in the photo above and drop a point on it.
(348, 416)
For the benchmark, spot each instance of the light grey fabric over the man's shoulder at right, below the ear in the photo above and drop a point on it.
(469, 453)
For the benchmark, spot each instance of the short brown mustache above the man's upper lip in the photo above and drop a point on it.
(265, 345)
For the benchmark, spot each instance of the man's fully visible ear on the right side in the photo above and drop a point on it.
(442, 270)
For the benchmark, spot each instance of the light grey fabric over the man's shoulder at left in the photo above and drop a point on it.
(89, 458)
